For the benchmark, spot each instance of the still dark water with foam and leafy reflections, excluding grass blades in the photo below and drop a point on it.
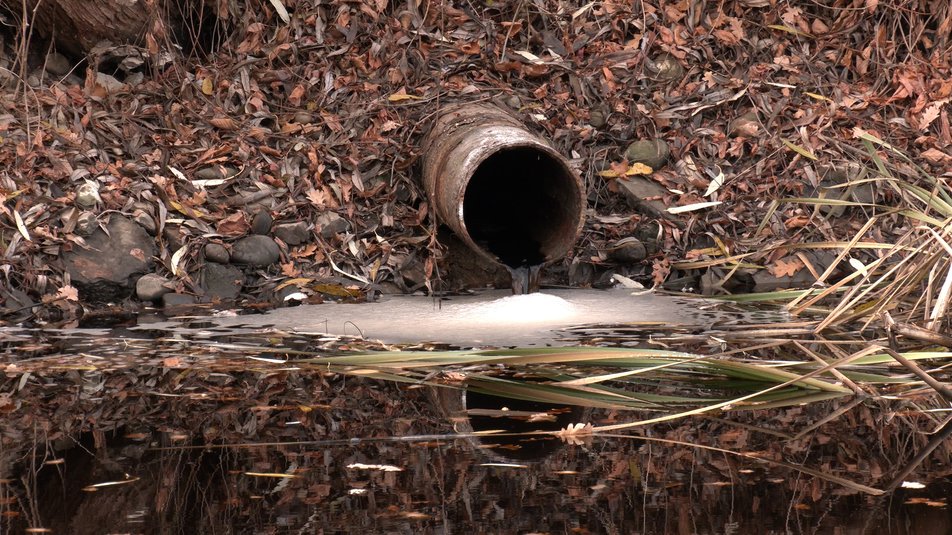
(169, 426)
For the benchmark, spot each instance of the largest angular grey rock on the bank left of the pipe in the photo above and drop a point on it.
(108, 269)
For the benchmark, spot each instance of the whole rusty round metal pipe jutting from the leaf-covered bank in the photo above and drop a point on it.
(505, 192)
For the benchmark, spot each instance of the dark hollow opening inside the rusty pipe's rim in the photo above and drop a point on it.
(522, 205)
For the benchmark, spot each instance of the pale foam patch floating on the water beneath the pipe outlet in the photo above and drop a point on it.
(492, 318)
